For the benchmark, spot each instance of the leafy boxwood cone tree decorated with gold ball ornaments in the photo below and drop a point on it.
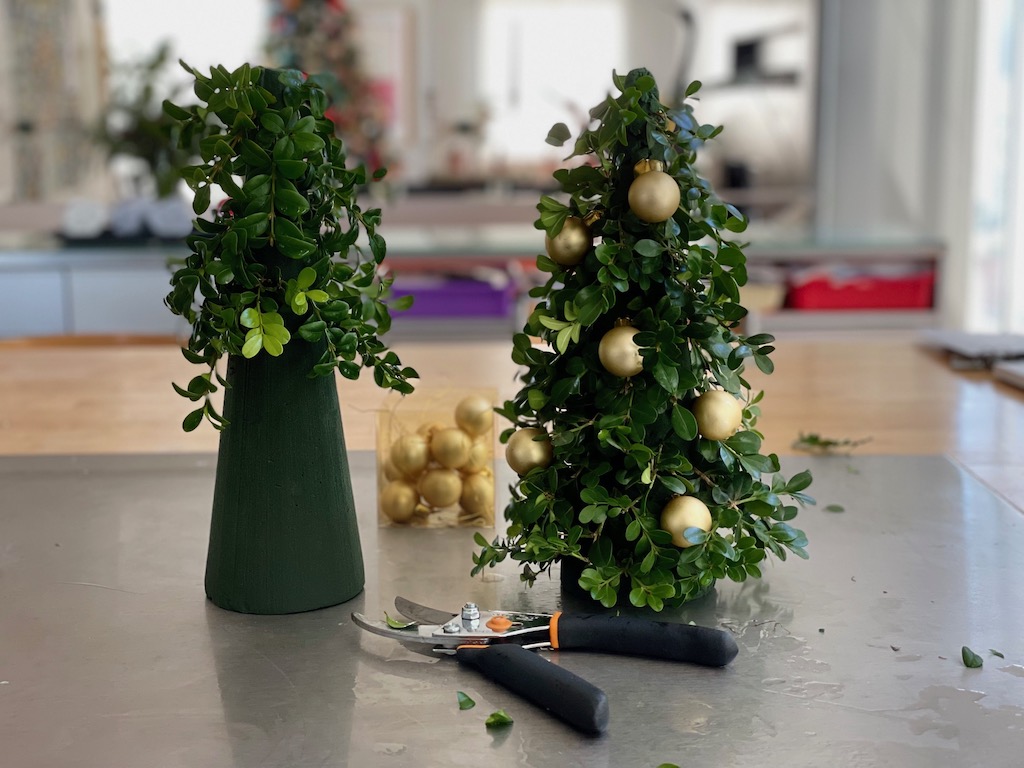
(641, 470)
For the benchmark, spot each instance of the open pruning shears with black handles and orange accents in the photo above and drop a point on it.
(499, 645)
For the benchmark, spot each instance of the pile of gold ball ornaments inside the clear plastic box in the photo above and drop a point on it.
(439, 467)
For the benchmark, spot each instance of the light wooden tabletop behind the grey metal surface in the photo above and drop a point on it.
(881, 389)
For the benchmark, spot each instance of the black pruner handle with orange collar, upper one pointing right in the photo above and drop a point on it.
(642, 637)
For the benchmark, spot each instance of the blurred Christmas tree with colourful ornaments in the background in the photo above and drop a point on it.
(319, 37)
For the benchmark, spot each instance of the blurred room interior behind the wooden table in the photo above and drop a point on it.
(875, 146)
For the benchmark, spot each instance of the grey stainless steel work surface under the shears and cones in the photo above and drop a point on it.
(111, 657)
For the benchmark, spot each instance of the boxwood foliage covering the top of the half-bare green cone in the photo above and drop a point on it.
(266, 268)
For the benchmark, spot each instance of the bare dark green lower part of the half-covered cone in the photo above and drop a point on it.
(284, 536)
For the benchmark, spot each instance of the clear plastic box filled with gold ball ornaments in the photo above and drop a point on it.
(436, 457)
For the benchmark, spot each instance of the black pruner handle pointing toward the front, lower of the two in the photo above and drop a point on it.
(565, 695)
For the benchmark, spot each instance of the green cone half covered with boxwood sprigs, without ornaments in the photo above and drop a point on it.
(280, 283)
